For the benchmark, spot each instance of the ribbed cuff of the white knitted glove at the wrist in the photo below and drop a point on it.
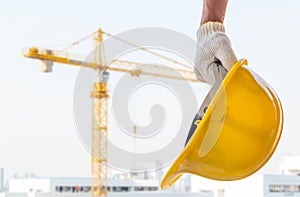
(206, 29)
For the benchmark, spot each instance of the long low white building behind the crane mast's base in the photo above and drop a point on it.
(52, 186)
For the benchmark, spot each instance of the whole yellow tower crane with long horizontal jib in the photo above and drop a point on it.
(100, 95)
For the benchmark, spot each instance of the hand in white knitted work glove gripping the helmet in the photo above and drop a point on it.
(212, 45)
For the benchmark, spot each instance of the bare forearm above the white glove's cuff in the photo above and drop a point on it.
(214, 10)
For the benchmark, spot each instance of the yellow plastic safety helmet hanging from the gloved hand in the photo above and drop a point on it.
(238, 133)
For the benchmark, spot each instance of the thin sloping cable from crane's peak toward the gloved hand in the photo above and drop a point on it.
(147, 50)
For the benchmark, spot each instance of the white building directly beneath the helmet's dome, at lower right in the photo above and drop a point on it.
(259, 185)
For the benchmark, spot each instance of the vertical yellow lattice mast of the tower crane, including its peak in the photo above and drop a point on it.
(99, 97)
